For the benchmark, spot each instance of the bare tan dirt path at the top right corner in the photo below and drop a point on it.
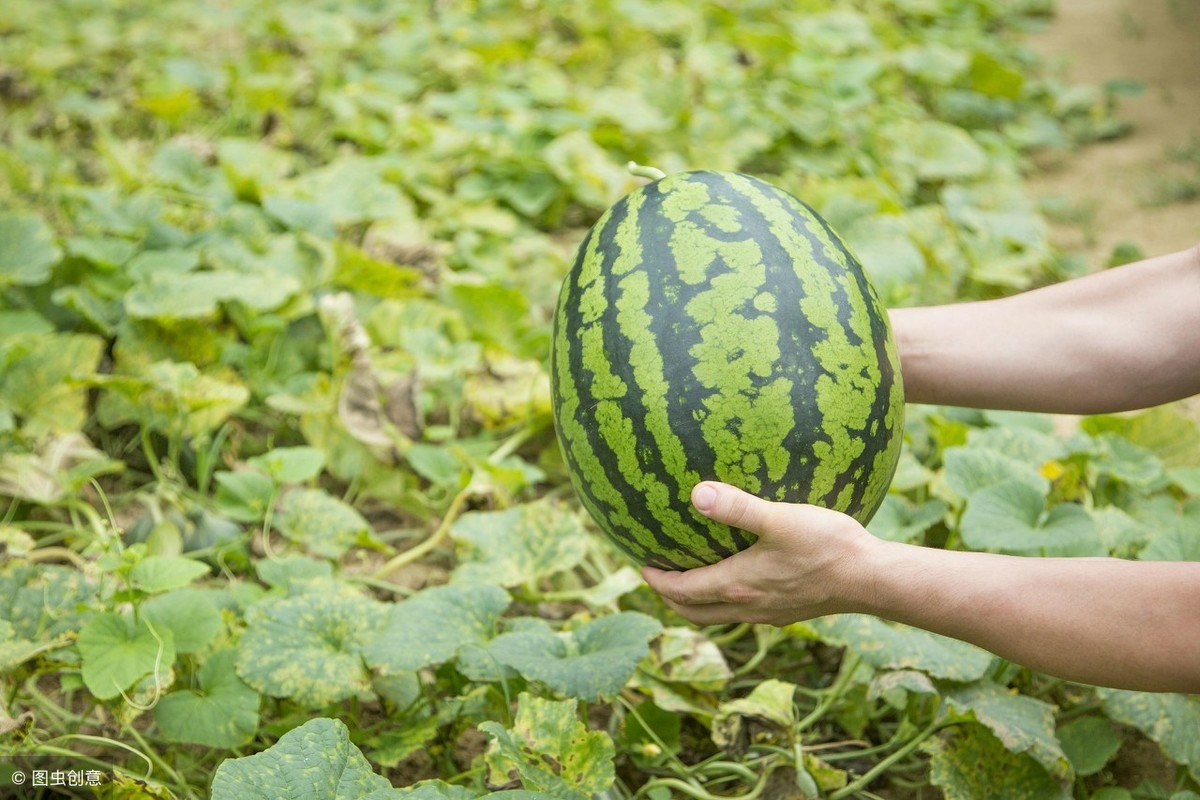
(1109, 185)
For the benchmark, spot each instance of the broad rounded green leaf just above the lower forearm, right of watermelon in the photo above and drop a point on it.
(1011, 518)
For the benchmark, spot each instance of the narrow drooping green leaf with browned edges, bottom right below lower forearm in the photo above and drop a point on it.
(1024, 725)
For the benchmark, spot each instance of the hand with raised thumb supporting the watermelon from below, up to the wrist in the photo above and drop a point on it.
(808, 562)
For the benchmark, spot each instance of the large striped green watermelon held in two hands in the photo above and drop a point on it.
(713, 327)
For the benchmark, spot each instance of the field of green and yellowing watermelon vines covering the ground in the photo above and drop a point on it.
(283, 509)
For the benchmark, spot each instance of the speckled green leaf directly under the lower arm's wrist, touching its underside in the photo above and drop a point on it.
(891, 646)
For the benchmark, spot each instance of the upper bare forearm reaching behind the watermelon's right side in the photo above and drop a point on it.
(1113, 341)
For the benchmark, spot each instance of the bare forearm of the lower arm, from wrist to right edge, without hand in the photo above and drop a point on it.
(1107, 622)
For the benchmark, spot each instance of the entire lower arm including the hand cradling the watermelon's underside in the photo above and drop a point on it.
(1107, 622)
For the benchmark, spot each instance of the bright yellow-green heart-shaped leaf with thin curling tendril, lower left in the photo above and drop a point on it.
(116, 653)
